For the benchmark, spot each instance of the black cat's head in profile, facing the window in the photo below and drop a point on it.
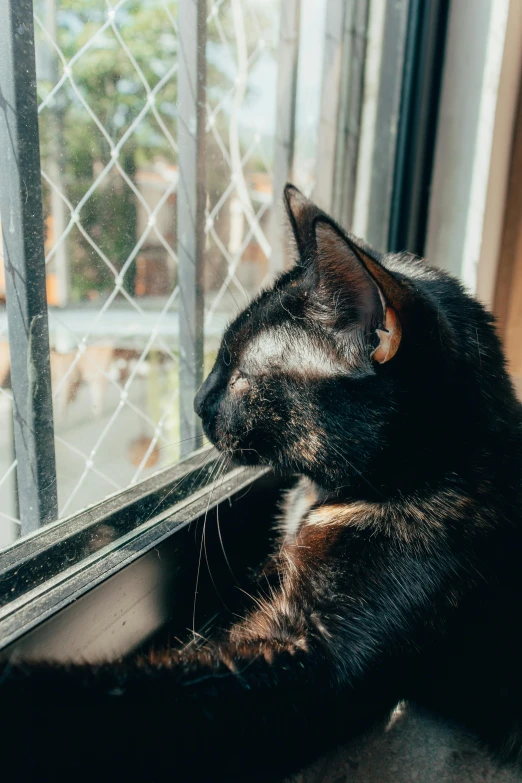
(348, 369)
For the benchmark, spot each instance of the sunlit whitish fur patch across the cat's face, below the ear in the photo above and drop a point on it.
(293, 351)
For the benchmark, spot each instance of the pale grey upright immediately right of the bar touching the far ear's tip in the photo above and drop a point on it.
(330, 103)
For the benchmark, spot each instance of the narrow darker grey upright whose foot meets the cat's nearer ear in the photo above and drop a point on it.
(350, 111)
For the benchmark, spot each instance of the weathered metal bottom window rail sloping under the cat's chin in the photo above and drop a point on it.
(104, 539)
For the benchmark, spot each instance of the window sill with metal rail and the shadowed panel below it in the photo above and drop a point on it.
(111, 598)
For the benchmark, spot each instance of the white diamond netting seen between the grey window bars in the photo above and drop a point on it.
(107, 92)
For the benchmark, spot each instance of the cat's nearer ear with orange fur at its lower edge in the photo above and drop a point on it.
(353, 288)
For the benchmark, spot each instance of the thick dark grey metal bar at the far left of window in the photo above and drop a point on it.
(21, 209)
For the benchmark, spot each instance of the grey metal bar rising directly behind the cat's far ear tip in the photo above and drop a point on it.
(287, 61)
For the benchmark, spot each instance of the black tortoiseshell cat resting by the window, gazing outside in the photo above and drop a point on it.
(382, 385)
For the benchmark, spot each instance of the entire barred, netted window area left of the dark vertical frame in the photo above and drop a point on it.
(143, 165)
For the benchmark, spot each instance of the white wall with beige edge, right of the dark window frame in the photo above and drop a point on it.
(479, 93)
